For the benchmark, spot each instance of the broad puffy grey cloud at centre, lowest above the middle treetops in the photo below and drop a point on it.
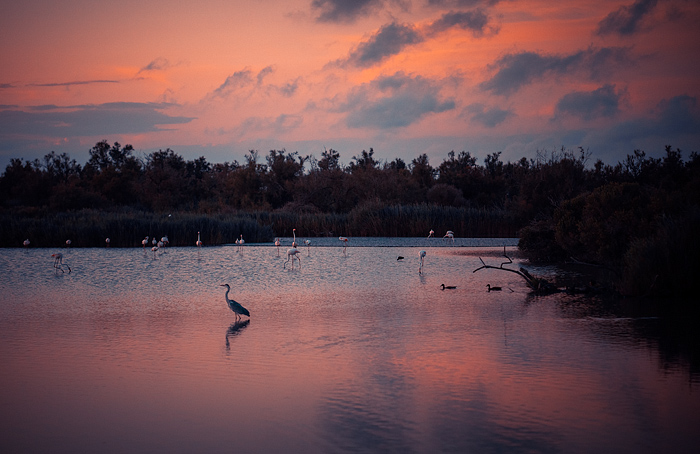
(394, 101)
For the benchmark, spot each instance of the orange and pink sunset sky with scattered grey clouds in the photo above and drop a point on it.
(218, 78)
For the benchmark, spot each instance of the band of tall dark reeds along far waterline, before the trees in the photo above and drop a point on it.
(90, 228)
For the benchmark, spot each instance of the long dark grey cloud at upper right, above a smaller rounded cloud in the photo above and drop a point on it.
(514, 71)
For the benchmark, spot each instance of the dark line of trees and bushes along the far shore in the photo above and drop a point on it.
(632, 215)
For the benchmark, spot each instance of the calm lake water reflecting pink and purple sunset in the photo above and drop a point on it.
(353, 352)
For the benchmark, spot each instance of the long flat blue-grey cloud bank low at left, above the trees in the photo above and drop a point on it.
(86, 120)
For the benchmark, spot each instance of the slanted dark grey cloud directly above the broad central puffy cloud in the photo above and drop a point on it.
(389, 40)
